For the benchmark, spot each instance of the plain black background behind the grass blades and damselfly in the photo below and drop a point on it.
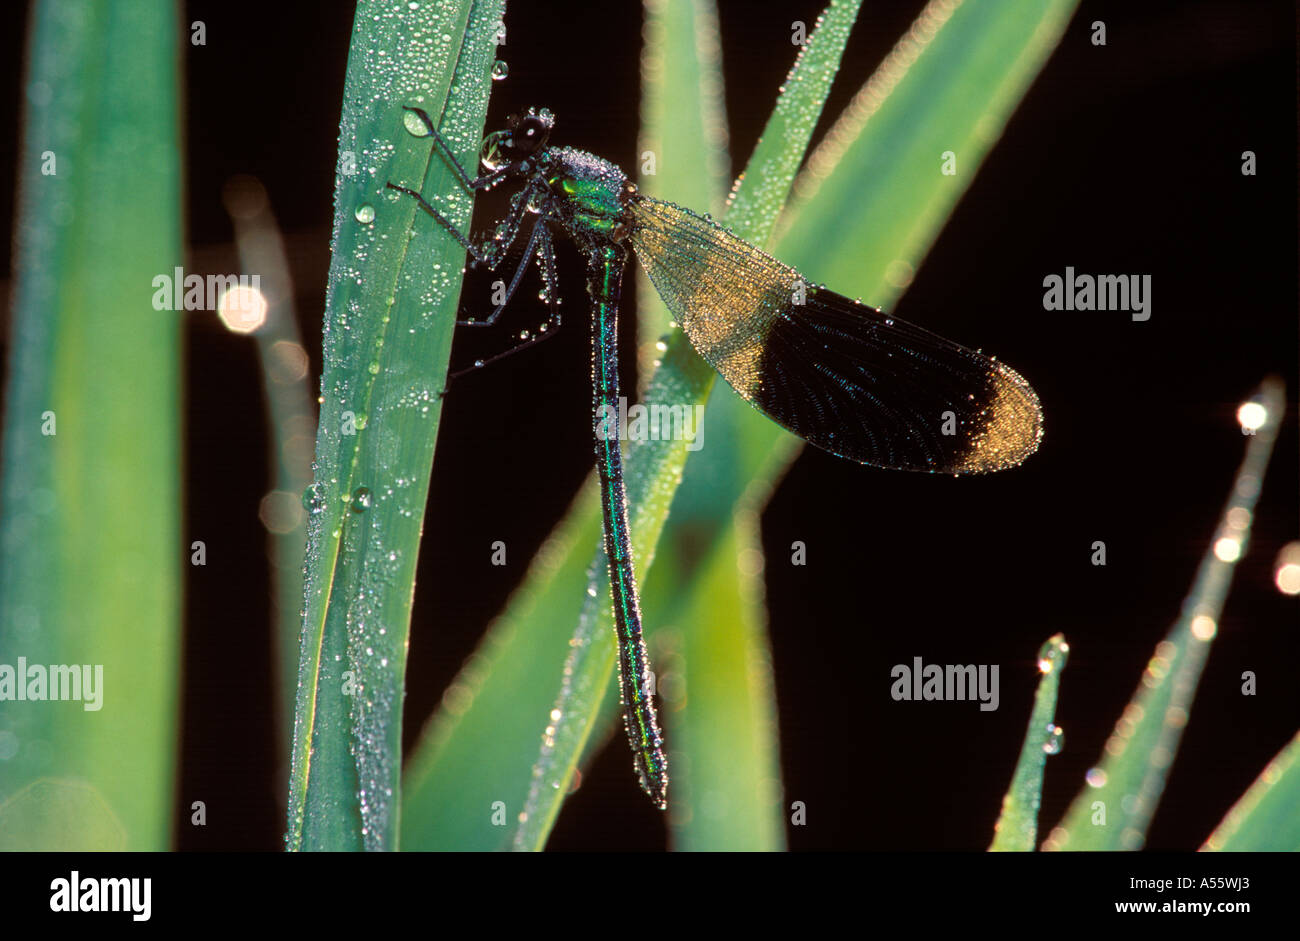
(1124, 159)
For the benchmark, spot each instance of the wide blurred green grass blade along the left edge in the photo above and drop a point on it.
(90, 544)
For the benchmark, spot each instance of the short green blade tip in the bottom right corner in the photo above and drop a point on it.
(1266, 818)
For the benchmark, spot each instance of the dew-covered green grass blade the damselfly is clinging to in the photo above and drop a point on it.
(395, 287)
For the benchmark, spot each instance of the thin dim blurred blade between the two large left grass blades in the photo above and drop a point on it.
(291, 422)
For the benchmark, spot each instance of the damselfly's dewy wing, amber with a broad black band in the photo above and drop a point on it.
(835, 372)
